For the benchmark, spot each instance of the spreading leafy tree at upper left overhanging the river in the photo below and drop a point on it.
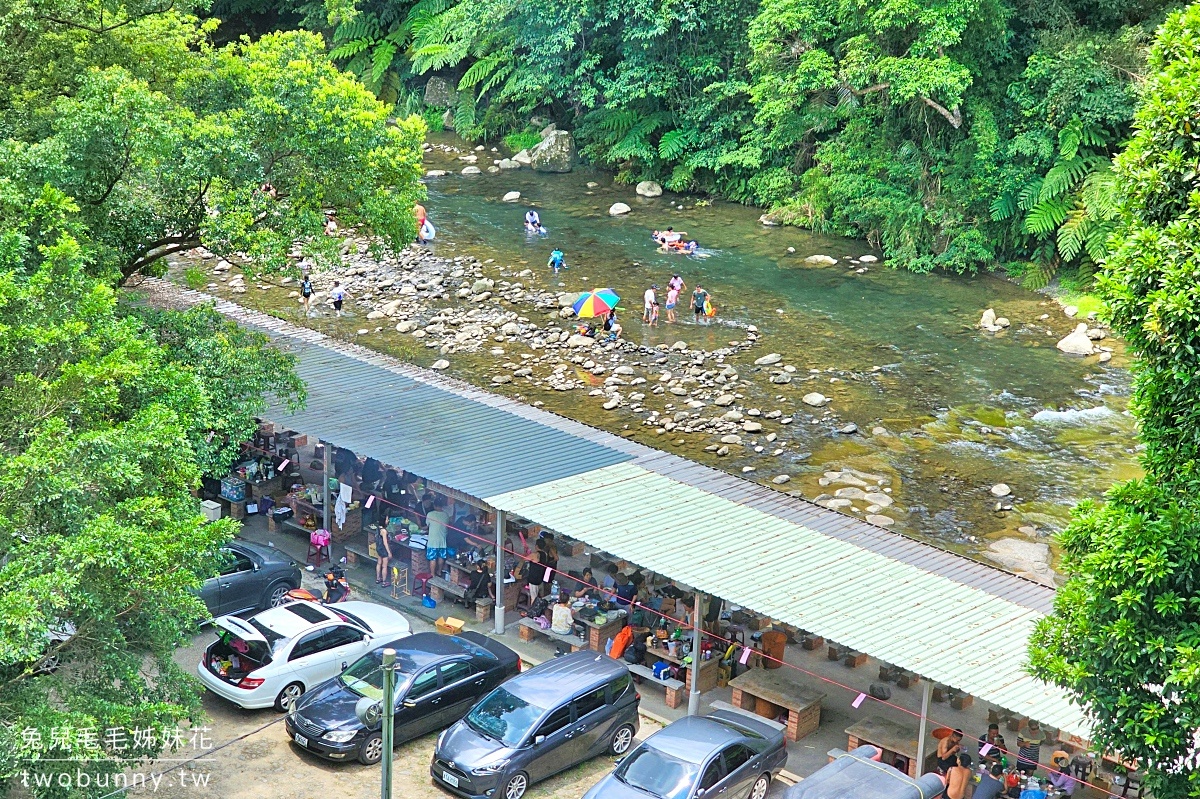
(167, 146)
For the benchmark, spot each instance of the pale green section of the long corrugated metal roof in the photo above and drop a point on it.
(943, 629)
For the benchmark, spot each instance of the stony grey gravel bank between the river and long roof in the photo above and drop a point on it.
(731, 402)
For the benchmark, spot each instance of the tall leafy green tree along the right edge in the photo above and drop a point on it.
(1125, 639)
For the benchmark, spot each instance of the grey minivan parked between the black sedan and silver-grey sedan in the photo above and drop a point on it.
(541, 723)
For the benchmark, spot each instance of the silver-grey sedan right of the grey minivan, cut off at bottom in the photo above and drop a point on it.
(727, 754)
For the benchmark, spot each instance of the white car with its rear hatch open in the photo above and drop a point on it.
(272, 658)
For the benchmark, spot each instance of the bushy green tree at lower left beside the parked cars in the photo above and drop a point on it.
(111, 418)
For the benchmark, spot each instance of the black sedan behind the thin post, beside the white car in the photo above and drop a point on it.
(439, 680)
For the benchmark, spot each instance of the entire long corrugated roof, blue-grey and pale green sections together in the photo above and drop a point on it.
(944, 616)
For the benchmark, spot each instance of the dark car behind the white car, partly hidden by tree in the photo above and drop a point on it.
(253, 578)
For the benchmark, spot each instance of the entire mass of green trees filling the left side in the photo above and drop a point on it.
(127, 136)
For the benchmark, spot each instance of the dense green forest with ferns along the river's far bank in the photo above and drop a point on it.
(952, 134)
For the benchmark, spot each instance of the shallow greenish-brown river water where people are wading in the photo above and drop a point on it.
(961, 410)
